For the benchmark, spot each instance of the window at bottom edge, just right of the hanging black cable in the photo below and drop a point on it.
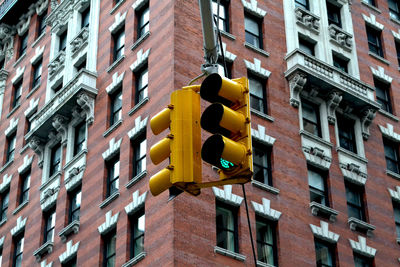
(266, 241)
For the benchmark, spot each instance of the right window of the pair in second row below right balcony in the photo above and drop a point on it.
(355, 201)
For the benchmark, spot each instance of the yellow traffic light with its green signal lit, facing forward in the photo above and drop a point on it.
(228, 119)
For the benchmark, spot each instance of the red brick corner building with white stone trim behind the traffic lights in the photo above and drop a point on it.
(79, 80)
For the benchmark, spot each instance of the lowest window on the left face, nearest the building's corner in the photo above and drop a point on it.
(137, 233)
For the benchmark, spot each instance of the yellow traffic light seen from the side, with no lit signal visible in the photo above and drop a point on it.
(182, 145)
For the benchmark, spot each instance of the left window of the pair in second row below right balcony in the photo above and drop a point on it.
(318, 187)
